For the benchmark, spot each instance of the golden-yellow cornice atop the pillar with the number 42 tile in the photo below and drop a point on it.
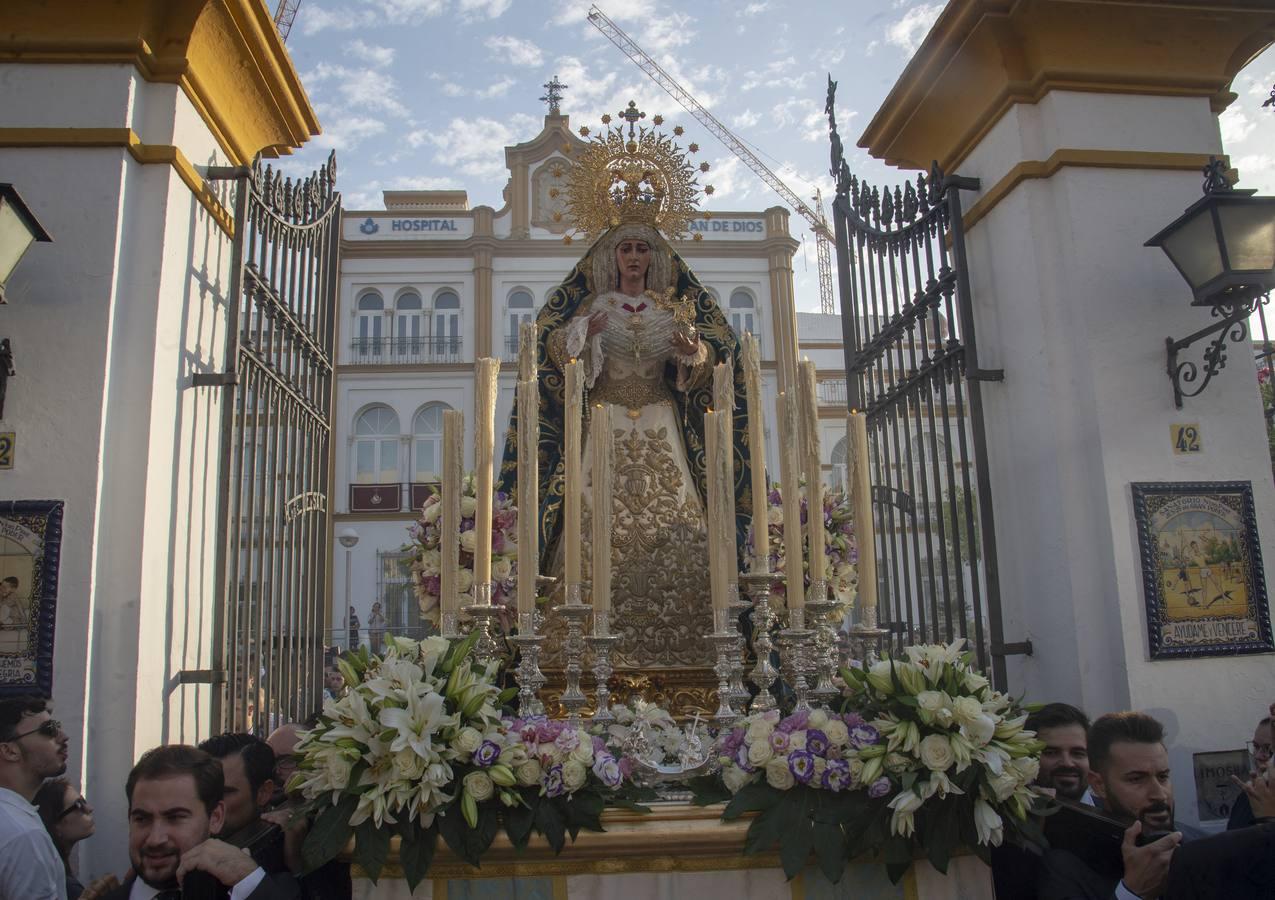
(984, 57)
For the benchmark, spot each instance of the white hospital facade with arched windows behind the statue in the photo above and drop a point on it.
(400, 363)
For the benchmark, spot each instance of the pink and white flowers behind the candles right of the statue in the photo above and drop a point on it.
(841, 558)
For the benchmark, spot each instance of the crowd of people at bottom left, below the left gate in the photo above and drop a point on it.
(205, 823)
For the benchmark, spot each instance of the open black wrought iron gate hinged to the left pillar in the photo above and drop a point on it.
(276, 443)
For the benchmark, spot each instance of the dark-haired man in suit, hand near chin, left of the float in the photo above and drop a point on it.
(175, 805)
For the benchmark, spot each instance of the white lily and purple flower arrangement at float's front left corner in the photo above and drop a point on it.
(418, 746)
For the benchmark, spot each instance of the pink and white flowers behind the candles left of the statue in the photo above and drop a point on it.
(428, 558)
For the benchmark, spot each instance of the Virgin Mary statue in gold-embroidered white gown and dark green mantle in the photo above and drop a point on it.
(648, 336)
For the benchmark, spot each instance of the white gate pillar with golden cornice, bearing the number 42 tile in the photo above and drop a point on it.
(1088, 126)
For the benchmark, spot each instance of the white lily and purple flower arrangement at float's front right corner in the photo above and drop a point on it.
(924, 755)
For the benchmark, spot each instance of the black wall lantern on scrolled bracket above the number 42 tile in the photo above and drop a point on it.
(1225, 248)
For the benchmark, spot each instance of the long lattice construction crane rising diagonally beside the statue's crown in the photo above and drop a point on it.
(818, 221)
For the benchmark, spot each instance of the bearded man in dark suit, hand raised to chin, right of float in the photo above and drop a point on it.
(1129, 774)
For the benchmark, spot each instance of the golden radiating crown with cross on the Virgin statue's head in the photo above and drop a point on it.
(642, 178)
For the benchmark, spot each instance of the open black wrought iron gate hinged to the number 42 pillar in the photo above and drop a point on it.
(912, 368)
